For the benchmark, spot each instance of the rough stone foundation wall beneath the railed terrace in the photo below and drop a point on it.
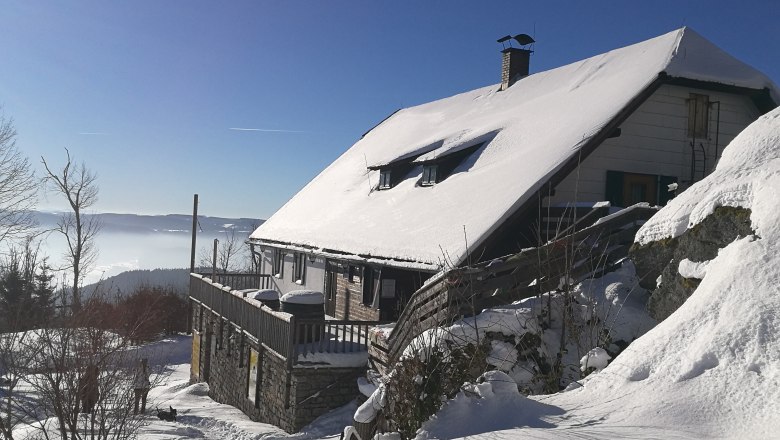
(288, 399)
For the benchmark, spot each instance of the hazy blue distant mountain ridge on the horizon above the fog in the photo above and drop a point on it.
(150, 224)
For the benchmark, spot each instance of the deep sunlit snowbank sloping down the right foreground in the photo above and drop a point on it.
(710, 370)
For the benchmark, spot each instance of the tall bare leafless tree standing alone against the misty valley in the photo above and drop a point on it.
(78, 185)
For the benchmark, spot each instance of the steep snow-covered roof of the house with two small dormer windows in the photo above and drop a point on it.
(530, 131)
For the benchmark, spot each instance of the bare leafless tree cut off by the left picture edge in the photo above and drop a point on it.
(17, 185)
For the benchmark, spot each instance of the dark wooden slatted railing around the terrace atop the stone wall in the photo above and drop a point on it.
(280, 332)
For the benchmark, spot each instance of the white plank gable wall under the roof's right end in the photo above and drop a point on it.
(654, 140)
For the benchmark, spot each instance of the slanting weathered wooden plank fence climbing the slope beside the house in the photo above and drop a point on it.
(466, 291)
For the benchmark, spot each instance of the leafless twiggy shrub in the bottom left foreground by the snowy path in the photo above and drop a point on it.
(84, 379)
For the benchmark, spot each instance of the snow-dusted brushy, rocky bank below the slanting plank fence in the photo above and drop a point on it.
(539, 344)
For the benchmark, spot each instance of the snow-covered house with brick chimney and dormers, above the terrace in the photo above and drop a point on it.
(465, 178)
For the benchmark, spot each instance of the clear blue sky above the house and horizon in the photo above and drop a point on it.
(150, 94)
